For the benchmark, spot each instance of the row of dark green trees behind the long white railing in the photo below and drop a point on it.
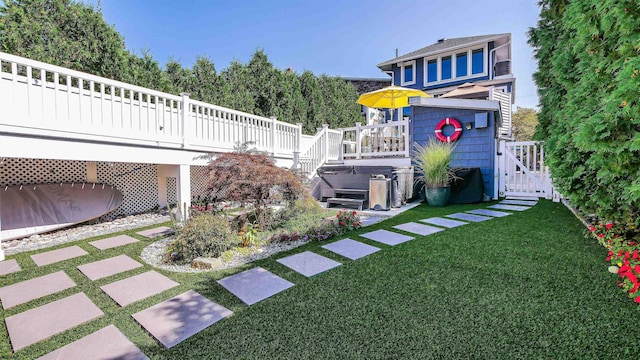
(74, 35)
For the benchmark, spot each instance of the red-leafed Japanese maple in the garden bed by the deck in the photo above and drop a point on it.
(251, 179)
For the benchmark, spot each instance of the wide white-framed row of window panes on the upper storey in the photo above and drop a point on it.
(454, 66)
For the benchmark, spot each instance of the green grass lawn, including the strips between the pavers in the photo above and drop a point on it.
(529, 285)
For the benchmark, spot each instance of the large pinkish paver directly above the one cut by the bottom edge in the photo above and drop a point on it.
(32, 326)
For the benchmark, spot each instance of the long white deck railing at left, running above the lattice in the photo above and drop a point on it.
(39, 99)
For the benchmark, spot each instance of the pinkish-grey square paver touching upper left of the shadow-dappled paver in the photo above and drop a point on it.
(138, 287)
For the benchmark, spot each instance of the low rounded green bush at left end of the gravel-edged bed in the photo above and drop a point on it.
(204, 235)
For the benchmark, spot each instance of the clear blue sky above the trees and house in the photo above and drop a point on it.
(333, 37)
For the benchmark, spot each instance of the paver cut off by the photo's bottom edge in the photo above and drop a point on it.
(106, 343)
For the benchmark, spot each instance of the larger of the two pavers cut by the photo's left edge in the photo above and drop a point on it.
(28, 290)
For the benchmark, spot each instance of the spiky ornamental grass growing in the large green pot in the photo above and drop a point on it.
(433, 162)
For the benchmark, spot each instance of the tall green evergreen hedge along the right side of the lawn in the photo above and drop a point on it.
(588, 79)
